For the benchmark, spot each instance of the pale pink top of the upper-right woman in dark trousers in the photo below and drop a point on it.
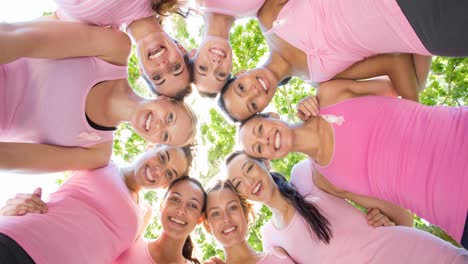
(336, 34)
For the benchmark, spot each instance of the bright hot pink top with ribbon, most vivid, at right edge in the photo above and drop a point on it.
(404, 152)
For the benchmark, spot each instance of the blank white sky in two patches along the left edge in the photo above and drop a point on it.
(10, 184)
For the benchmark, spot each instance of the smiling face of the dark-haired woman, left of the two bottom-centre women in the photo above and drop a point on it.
(181, 210)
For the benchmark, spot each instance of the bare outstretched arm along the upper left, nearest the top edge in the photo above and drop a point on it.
(48, 39)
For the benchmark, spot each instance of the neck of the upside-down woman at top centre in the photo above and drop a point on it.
(218, 25)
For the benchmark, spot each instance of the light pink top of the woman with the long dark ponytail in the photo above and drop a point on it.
(353, 241)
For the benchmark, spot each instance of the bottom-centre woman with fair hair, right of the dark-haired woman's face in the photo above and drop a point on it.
(228, 217)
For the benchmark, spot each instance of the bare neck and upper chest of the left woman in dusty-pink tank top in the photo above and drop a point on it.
(111, 103)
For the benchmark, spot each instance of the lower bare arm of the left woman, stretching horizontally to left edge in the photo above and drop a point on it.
(30, 157)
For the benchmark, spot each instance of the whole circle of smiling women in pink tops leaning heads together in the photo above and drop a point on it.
(64, 89)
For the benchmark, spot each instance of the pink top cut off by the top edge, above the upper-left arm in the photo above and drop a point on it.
(113, 13)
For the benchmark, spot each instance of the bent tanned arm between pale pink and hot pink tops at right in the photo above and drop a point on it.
(398, 67)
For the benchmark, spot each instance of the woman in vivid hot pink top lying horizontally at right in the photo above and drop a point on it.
(392, 149)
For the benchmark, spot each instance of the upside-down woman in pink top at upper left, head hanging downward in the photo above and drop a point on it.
(162, 61)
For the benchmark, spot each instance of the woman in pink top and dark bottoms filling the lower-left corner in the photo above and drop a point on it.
(94, 217)
